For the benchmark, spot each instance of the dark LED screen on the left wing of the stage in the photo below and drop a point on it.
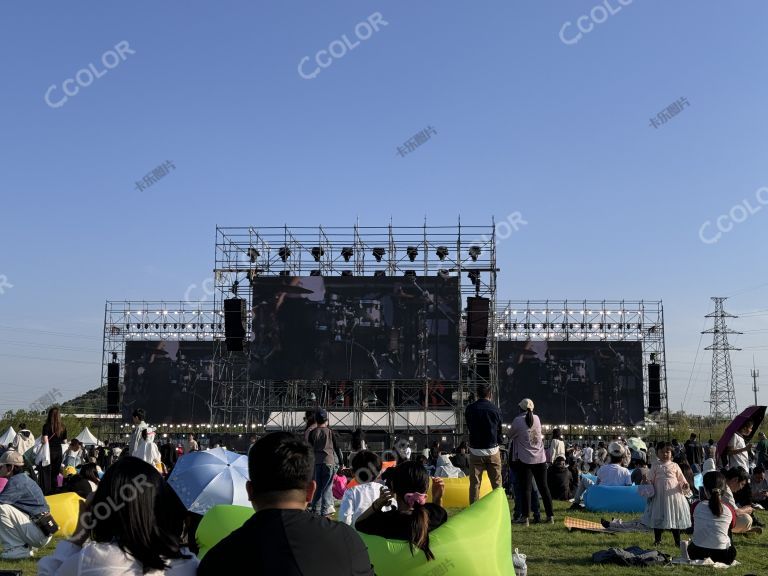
(170, 380)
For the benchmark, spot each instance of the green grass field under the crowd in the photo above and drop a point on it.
(553, 551)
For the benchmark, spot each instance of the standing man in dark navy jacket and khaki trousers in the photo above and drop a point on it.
(483, 420)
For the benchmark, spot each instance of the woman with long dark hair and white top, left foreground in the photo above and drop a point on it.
(132, 525)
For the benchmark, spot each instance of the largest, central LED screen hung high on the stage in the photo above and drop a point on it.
(355, 328)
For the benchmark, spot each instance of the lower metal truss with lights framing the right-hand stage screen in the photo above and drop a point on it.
(590, 321)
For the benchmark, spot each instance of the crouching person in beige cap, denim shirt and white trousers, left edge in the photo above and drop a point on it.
(20, 501)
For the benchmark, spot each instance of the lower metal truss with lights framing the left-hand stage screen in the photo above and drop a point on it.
(154, 320)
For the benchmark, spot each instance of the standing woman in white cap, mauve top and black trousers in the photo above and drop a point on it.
(526, 434)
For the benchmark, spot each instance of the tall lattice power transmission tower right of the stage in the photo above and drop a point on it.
(722, 396)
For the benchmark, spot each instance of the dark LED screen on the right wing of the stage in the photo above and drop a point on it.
(573, 382)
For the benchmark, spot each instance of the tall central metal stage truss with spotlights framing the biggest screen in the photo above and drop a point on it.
(417, 405)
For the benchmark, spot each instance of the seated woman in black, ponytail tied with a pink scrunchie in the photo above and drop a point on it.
(414, 518)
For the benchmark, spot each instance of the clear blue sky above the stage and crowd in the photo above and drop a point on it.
(531, 114)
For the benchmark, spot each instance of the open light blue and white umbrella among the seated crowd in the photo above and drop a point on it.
(204, 479)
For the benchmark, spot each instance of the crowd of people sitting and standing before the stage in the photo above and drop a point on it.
(131, 517)
